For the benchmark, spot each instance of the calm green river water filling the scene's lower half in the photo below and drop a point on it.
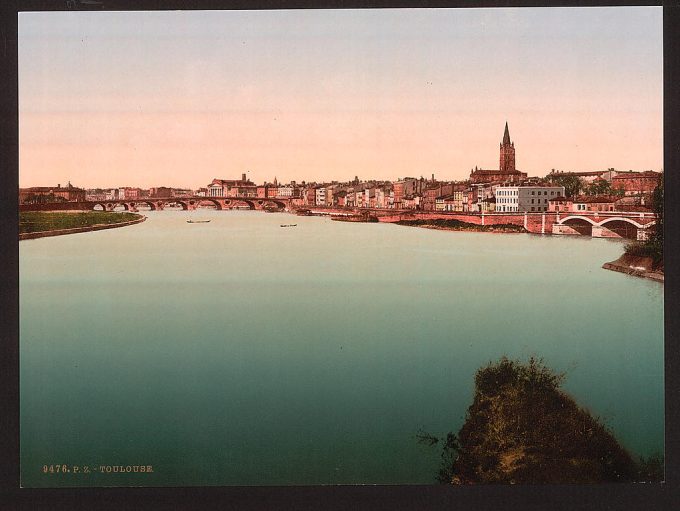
(237, 352)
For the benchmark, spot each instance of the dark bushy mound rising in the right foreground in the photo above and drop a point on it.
(521, 428)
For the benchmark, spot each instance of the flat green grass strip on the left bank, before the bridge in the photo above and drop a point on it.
(45, 221)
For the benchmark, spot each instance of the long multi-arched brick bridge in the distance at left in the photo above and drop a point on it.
(158, 204)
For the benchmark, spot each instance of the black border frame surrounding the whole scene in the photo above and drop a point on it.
(612, 496)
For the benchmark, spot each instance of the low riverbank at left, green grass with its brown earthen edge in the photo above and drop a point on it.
(38, 224)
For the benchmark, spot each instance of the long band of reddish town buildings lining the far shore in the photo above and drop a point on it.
(526, 195)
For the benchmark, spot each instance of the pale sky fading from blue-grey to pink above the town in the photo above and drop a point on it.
(177, 98)
